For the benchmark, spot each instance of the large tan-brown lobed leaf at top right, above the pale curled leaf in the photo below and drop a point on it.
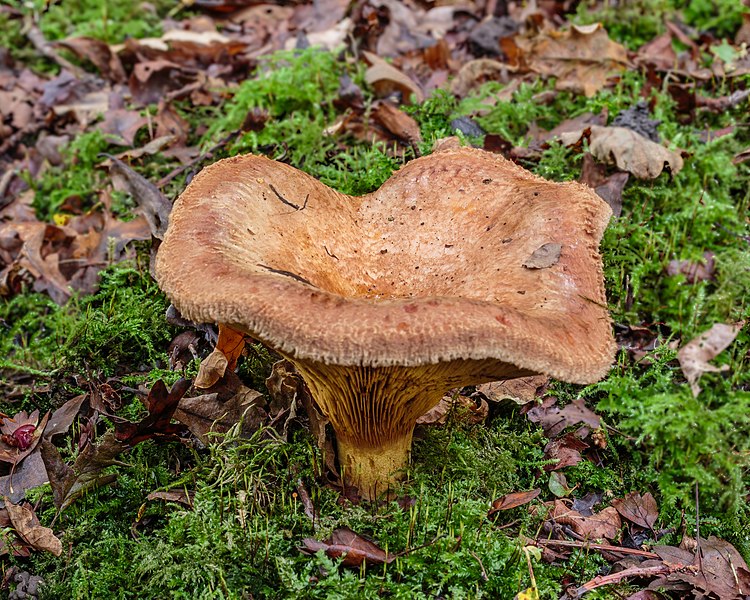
(581, 58)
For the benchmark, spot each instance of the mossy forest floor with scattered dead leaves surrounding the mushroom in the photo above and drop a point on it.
(635, 487)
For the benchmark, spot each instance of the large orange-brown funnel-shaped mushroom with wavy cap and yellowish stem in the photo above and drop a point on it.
(463, 268)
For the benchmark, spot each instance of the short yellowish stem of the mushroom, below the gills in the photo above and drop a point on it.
(374, 470)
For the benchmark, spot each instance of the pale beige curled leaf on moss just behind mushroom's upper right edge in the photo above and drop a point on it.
(628, 150)
